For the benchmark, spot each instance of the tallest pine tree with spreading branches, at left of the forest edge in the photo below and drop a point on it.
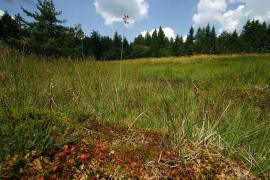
(47, 35)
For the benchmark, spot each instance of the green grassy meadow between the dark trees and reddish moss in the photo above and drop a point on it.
(220, 103)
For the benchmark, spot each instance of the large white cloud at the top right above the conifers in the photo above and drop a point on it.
(218, 13)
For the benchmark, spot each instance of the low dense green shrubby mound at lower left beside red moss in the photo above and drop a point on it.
(26, 130)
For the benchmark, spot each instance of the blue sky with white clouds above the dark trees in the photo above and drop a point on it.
(176, 16)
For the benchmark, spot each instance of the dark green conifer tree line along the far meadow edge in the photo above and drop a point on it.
(46, 35)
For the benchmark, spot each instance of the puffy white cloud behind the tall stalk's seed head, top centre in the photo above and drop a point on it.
(113, 10)
